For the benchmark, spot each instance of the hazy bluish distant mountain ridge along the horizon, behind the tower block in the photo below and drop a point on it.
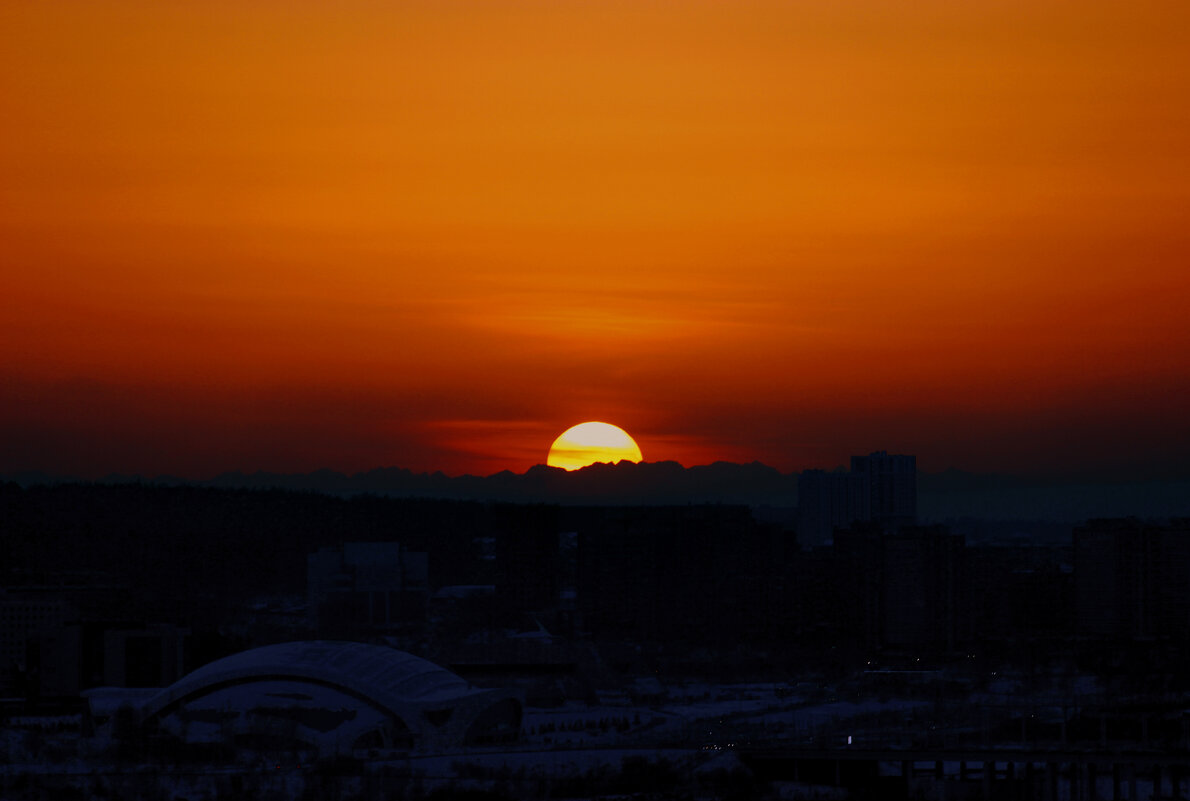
(943, 497)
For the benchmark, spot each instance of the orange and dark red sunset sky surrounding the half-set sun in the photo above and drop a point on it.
(290, 235)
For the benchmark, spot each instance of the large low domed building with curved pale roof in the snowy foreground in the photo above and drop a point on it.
(334, 698)
